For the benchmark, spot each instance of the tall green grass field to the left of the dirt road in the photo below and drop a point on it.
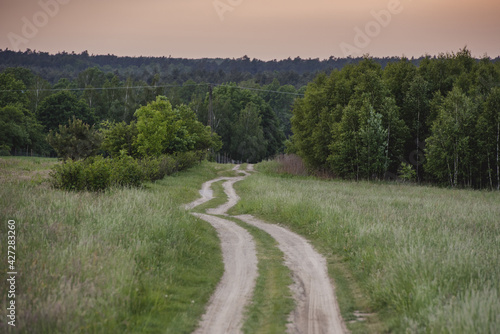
(126, 260)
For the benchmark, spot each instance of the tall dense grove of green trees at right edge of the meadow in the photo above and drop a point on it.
(437, 122)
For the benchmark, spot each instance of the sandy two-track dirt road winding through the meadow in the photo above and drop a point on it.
(316, 306)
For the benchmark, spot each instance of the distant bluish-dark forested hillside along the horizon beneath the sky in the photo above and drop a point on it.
(297, 72)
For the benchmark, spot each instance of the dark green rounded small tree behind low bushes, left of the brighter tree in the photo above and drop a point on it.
(76, 140)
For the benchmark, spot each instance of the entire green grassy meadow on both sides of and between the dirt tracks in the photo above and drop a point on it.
(404, 258)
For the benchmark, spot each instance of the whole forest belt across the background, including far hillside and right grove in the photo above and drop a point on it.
(433, 119)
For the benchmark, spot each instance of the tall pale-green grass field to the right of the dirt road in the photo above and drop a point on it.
(427, 258)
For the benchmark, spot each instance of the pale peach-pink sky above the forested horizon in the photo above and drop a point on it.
(263, 29)
